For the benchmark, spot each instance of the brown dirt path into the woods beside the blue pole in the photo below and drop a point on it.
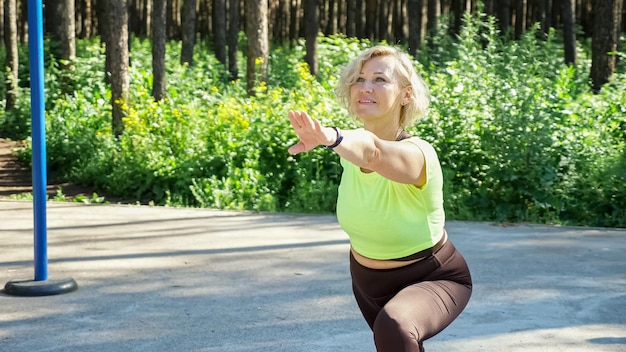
(15, 179)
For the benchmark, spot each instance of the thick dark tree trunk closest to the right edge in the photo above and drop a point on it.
(607, 17)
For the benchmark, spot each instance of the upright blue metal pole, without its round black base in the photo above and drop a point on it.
(38, 123)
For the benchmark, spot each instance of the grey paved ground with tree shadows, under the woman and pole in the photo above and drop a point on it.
(170, 279)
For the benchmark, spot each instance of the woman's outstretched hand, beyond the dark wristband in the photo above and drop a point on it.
(310, 132)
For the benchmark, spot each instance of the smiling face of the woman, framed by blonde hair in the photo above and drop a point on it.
(375, 94)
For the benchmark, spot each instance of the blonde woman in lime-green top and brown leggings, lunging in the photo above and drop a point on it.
(407, 277)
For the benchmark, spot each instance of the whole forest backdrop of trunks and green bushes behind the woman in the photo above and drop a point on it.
(185, 103)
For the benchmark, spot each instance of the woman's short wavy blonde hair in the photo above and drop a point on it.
(415, 109)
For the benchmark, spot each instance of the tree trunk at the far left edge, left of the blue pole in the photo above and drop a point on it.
(11, 63)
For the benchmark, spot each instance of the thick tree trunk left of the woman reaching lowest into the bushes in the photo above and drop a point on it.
(117, 52)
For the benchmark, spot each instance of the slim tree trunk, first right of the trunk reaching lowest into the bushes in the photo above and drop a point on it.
(158, 49)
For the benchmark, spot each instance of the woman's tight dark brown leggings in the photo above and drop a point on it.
(408, 305)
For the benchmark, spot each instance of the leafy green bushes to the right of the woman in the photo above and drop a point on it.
(520, 136)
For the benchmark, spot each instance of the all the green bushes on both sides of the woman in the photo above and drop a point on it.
(520, 136)
